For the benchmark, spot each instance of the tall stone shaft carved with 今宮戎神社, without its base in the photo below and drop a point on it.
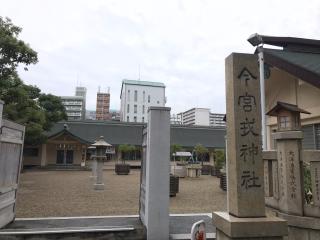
(245, 175)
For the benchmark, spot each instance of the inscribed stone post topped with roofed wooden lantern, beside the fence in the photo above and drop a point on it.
(288, 137)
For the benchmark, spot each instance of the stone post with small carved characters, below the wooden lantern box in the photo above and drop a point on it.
(288, 155)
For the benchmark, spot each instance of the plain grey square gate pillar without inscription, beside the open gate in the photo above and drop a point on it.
(157, 173)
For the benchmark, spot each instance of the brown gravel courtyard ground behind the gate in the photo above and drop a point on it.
(70, 193)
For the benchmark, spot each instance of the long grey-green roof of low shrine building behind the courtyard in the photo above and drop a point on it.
(117, 133)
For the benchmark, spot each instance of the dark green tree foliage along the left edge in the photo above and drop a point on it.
(24, 104)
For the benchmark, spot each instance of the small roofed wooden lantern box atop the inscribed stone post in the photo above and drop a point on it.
(288, 116)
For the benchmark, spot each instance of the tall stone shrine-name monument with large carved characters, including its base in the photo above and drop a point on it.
(246, 205)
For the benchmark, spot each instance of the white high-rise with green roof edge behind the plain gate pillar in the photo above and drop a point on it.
(137, 96)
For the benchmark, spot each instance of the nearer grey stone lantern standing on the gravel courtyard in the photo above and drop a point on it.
(102, 147)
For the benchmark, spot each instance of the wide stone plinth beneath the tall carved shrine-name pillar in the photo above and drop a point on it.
(262, 228)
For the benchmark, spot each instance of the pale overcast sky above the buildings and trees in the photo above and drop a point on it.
(180, 43)
